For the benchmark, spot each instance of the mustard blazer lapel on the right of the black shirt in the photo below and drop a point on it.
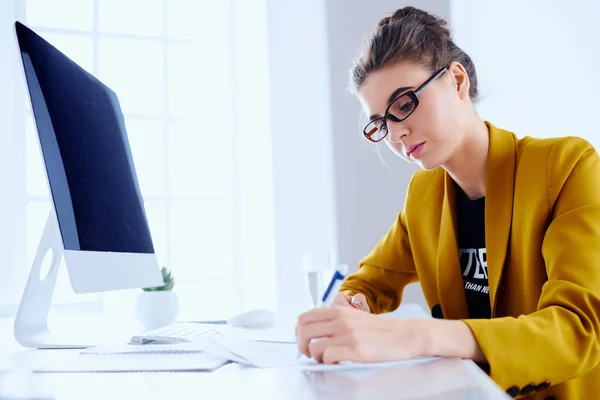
(500, 179)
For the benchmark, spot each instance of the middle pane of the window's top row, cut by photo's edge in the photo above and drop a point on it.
(137, 17)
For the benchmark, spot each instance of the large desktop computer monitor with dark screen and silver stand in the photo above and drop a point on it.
(98, 222)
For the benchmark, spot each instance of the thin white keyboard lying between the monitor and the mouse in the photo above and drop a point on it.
(178, 332)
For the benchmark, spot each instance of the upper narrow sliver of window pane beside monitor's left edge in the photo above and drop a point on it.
(35, 174)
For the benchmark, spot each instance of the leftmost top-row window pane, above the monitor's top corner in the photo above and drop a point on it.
(64, 14)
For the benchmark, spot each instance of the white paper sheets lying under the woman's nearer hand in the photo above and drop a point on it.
(270, 355)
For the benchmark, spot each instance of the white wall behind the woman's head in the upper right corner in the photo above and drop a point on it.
(537, 63)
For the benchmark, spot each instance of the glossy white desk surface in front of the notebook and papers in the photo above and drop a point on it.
(443, 379)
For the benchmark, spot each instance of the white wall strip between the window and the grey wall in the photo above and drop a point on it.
(302, 143)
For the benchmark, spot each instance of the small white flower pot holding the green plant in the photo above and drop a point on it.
(156, 309)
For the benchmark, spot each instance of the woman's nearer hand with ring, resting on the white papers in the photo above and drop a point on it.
(348, 334)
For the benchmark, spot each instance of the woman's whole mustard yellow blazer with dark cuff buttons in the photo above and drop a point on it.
(542, 230)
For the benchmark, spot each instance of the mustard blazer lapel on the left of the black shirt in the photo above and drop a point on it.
(449, 276)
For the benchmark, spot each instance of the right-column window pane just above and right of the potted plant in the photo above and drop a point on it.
(202, 239)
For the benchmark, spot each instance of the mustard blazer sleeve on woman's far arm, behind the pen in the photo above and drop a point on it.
(386, 270)
